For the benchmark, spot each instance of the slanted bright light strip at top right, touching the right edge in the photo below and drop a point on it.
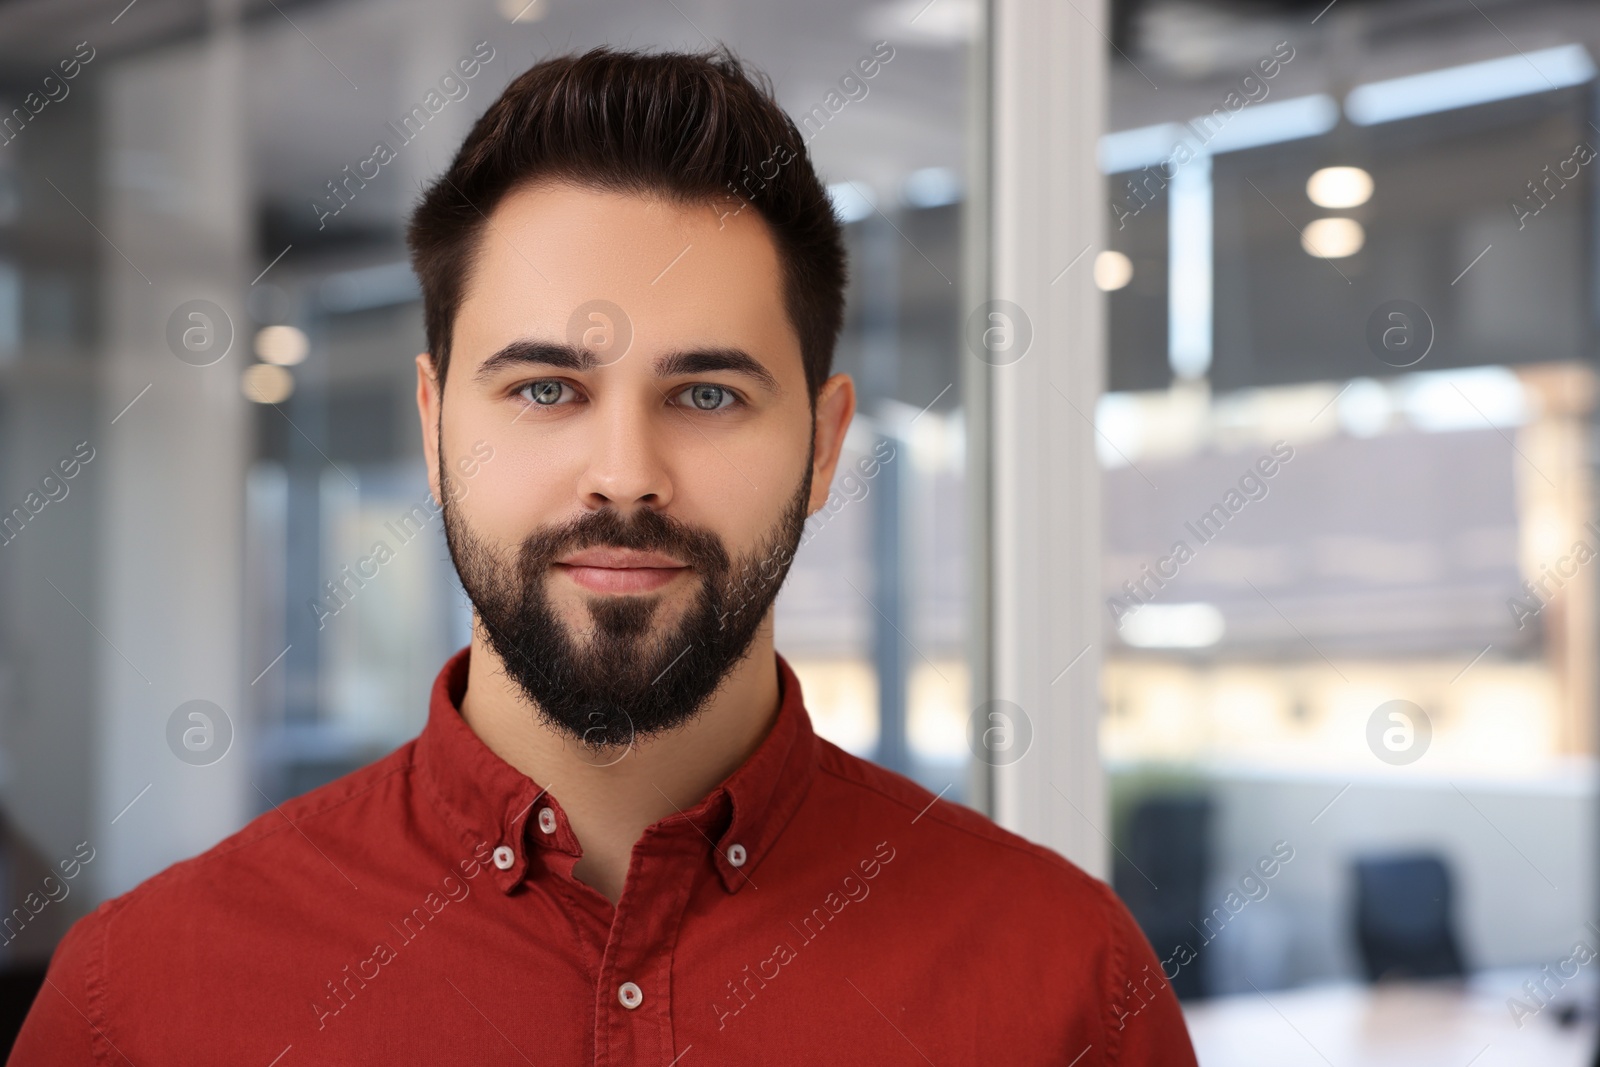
(1471, 84)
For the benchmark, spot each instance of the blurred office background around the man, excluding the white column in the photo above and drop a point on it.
(1370, 274)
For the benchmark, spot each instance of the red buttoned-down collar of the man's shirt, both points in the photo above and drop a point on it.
(490, 804)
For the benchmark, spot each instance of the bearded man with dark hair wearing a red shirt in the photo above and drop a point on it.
(618, 839)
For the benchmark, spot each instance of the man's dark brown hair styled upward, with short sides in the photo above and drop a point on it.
(690, 129)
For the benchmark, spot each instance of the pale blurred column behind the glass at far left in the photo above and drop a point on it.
(177, 212)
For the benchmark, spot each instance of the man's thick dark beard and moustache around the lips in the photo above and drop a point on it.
(631, 679)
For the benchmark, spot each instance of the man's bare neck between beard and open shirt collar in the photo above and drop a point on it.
(610, 807)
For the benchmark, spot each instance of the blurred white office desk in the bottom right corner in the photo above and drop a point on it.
(1422, 1025)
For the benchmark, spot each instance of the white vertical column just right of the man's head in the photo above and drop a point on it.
(1049, 209)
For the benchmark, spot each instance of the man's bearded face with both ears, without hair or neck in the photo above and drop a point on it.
(633, 370)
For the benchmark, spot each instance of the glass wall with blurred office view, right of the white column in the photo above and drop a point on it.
(1350, 458)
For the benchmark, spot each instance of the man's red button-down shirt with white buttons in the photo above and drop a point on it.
(812, 909)
